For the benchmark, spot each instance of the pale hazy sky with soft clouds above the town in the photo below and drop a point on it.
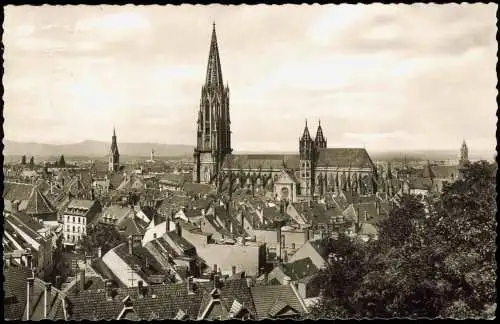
(380, 76)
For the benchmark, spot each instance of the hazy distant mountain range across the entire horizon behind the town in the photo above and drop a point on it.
(98, 149)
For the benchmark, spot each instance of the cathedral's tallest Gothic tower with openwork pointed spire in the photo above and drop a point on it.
(213, 126)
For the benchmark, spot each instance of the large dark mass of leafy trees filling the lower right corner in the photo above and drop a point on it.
(434, 258)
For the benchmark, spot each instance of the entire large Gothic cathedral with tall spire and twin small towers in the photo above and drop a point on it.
(314, 171)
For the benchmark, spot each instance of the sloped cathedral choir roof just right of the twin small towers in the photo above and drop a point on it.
(344, 158)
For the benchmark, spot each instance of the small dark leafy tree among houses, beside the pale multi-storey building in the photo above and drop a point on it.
(101, 236)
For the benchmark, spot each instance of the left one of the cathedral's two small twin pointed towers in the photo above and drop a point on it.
(306, 148)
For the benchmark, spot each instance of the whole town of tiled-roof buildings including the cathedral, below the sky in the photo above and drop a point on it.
(230, 236)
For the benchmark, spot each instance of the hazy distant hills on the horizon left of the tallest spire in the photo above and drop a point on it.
(94, 149)
